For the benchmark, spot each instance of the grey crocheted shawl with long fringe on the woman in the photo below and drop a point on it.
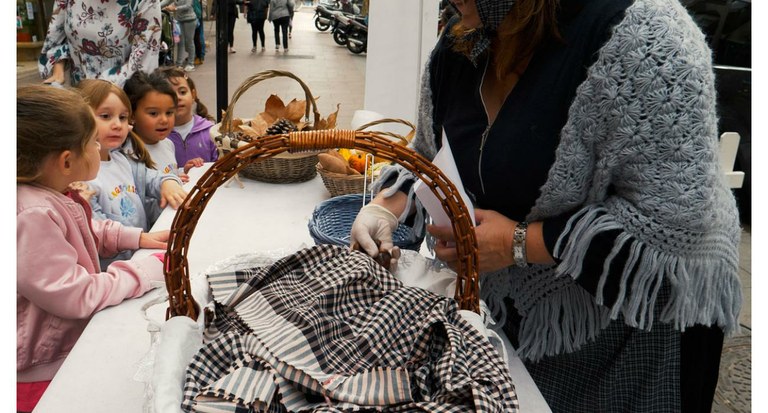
(644, 123)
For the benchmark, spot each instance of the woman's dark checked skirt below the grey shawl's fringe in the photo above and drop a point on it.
(623, 370)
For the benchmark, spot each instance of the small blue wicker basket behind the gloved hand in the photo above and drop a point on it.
(332, 220)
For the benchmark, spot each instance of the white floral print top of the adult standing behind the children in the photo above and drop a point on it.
(102, 39)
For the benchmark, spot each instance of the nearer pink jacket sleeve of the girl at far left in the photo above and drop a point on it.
(58, 274)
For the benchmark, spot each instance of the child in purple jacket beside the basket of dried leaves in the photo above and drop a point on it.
(191, 133)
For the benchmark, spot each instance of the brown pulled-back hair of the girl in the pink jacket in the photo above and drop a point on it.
(49, 120)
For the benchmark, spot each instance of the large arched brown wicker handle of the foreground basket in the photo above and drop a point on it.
(187, 215)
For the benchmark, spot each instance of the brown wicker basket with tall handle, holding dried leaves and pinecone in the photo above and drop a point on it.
(285, 168)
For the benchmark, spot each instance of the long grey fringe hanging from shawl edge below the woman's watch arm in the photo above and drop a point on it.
(705, 298)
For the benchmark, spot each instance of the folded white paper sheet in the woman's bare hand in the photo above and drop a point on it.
(443, 160)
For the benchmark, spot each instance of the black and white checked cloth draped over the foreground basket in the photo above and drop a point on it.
(328, 329)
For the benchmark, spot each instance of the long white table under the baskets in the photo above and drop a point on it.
(98, 375)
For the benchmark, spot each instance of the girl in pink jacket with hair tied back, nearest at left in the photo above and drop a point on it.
(58, 281)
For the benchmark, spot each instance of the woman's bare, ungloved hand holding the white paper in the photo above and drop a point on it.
(494, 234)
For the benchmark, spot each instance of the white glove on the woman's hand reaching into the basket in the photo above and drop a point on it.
(374, 225)
